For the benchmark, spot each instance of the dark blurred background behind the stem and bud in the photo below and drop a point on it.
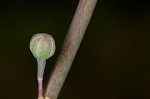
(113, 61)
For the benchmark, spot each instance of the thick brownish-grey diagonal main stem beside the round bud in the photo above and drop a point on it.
(70, 46)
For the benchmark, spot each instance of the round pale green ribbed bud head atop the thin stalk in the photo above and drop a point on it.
(42, 46)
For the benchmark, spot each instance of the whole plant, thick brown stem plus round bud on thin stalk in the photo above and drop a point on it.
(42, 46)
